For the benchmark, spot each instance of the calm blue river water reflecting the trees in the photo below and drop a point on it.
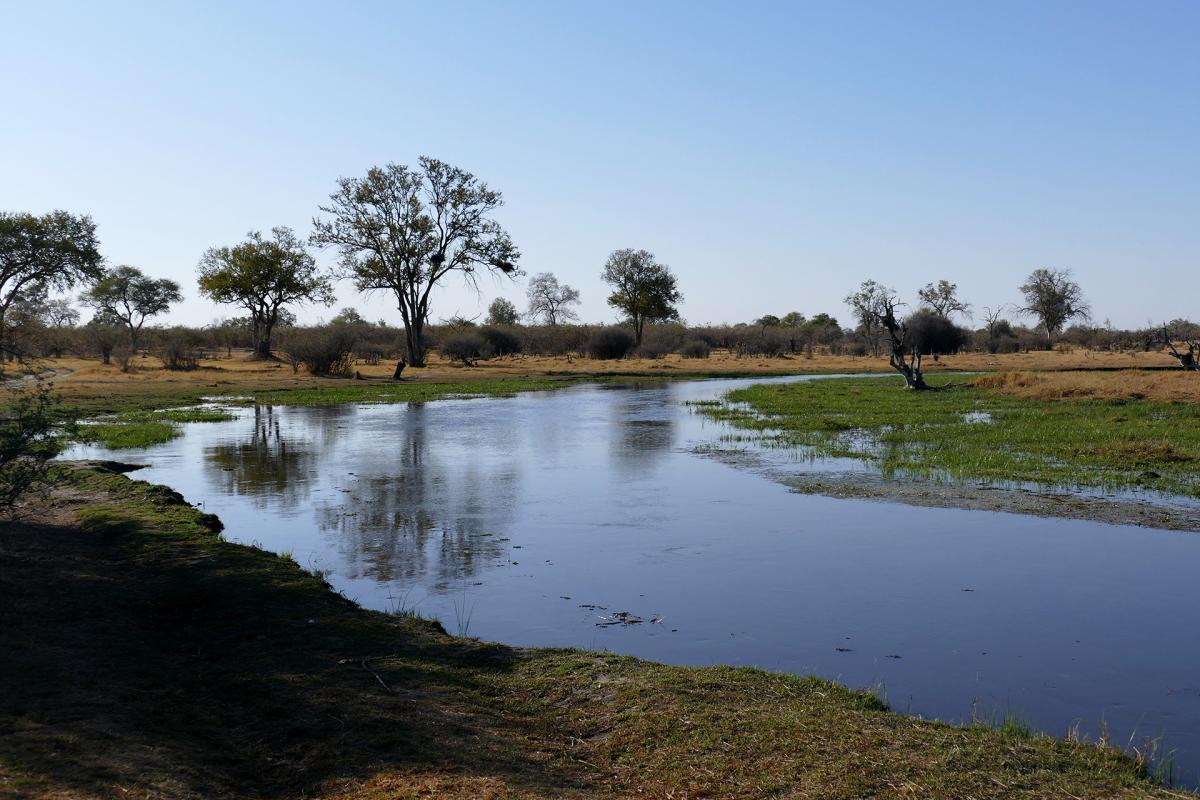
(535, 520)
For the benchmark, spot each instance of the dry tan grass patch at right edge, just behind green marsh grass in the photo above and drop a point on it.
(1131, 384)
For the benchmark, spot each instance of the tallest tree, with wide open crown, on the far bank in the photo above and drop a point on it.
(406, 231)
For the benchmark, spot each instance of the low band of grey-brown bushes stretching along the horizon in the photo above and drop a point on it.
(334, 347)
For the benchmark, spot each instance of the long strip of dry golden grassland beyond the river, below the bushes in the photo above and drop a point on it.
(93, 388)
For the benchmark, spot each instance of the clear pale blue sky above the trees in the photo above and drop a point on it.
(775, 155)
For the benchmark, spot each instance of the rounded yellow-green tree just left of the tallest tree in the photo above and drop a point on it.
(263, 276)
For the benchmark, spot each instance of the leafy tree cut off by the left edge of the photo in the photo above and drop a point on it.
(44, 254)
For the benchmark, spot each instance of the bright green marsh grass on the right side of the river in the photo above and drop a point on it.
(1085, 443)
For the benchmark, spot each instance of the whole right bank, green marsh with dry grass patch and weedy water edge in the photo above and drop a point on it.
(1124, 443)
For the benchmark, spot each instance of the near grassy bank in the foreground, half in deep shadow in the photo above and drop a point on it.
(143, 657)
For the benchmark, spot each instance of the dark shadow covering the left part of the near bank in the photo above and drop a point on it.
(188, 667)
